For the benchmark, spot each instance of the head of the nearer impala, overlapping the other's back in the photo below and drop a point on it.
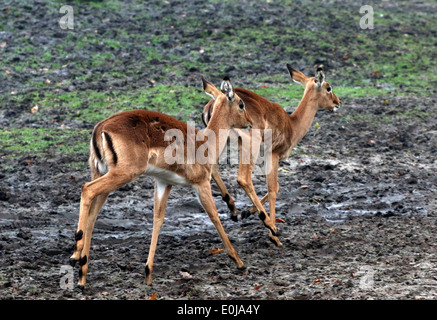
(227, 104)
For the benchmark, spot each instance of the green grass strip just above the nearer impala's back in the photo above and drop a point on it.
(92, 106)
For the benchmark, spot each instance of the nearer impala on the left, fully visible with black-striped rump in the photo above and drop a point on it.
(131, 143)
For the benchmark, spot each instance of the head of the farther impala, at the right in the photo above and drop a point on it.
(317, 88)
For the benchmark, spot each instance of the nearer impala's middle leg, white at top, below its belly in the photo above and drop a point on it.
(162, 191)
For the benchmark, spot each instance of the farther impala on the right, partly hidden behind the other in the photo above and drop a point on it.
(287, 131)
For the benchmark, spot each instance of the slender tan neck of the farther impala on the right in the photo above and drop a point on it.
(303, 116)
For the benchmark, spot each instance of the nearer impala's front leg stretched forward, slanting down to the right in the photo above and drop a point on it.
(205, 197)
